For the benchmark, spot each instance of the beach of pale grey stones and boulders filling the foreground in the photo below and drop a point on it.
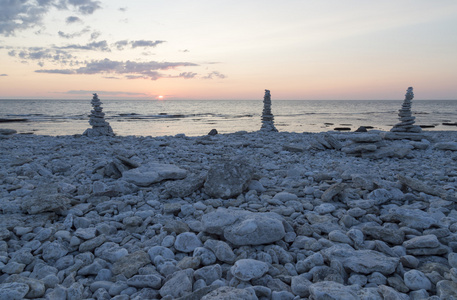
(260, 215)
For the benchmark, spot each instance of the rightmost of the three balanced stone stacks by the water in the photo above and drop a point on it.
(406, 128)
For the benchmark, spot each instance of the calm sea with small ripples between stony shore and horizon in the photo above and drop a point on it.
(194, 118)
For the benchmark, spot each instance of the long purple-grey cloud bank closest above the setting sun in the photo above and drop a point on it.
(130, 69)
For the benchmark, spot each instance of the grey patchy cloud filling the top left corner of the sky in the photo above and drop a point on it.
(23, 14)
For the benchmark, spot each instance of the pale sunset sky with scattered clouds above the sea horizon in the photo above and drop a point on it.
(223, 50)
